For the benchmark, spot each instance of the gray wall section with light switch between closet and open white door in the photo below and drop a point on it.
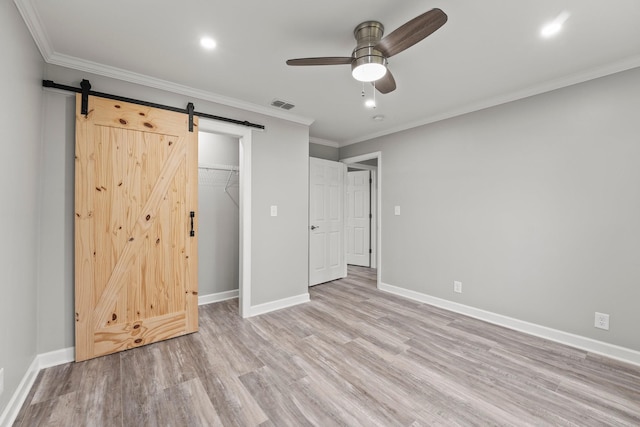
(280, 178)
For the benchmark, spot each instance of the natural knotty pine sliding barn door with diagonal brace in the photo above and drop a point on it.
(136, 266)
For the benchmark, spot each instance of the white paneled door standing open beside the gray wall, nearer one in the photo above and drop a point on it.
(326, 221)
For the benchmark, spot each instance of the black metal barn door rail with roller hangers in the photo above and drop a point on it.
(85, 90)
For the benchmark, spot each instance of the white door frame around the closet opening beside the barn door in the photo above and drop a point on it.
(244, 135)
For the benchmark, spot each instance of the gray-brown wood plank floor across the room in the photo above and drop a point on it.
(353, 356)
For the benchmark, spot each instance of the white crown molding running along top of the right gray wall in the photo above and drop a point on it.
(573, 79)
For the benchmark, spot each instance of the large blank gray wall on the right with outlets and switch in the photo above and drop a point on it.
(534, 205)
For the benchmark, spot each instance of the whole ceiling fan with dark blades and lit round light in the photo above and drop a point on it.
(369, 59)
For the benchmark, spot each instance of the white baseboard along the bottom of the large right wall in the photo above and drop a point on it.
(588, 344)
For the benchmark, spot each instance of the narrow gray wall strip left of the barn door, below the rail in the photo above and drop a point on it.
(55, 267)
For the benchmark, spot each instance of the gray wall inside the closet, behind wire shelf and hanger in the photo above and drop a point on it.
(218, 231)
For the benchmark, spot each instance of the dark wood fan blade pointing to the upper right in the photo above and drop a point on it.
(412, 32)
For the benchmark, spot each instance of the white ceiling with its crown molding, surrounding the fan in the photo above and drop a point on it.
(489, 52)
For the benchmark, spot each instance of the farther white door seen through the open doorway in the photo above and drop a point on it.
(358, 218)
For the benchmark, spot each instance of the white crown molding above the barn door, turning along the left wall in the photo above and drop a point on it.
(34, 24)
